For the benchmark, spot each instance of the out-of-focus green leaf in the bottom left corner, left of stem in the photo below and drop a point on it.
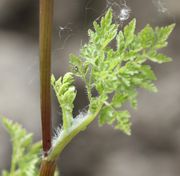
(25, 154)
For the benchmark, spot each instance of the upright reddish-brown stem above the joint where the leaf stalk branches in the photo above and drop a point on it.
(46, 18)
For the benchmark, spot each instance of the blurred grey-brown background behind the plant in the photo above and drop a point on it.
(154, 147)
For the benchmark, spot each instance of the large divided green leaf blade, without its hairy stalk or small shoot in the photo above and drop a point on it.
(119, 72)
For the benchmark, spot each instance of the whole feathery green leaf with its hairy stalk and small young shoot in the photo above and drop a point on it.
(114, 73)
